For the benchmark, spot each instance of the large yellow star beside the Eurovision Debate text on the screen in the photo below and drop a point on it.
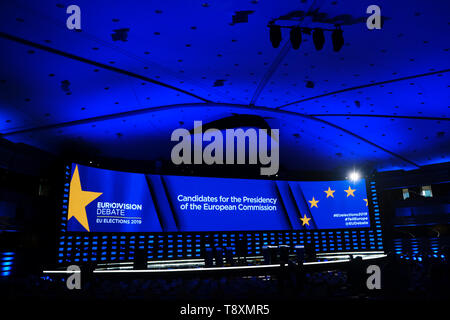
(79, 199)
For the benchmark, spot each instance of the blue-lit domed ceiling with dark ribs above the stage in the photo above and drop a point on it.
(382, 102)
